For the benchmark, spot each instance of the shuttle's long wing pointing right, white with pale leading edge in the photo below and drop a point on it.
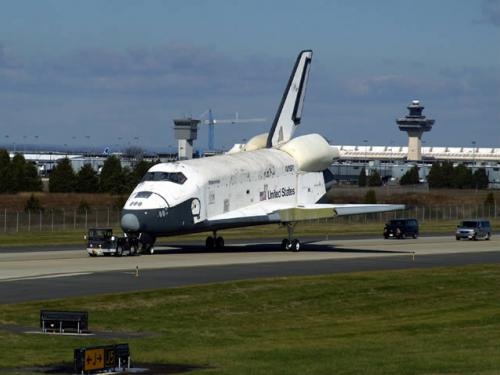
(285, 212)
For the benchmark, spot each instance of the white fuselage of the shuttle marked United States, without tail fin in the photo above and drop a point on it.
(219, 187)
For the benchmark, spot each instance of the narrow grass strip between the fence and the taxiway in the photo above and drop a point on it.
(315, 228)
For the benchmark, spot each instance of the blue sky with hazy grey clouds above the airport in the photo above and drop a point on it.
(117, 72)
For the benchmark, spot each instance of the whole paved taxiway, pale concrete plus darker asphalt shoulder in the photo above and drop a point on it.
(47, 274)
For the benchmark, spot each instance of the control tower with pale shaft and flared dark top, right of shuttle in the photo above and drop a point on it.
(415, 124)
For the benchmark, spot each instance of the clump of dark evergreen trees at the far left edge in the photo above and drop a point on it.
(18, 174)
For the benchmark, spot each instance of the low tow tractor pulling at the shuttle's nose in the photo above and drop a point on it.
(101, 241)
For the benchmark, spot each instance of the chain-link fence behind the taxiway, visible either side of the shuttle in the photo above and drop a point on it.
(57, 220)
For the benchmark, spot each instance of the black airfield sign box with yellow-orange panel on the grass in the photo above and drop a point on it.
(101, 358)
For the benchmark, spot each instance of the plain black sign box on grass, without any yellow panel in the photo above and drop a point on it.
(63, 321)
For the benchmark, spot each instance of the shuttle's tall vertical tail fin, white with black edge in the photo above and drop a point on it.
(290, 110)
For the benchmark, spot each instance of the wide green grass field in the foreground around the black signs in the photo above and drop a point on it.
(439, 321)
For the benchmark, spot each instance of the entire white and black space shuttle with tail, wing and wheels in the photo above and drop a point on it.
(275, 178)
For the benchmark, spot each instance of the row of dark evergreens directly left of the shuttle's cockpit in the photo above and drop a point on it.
(113, 178)
